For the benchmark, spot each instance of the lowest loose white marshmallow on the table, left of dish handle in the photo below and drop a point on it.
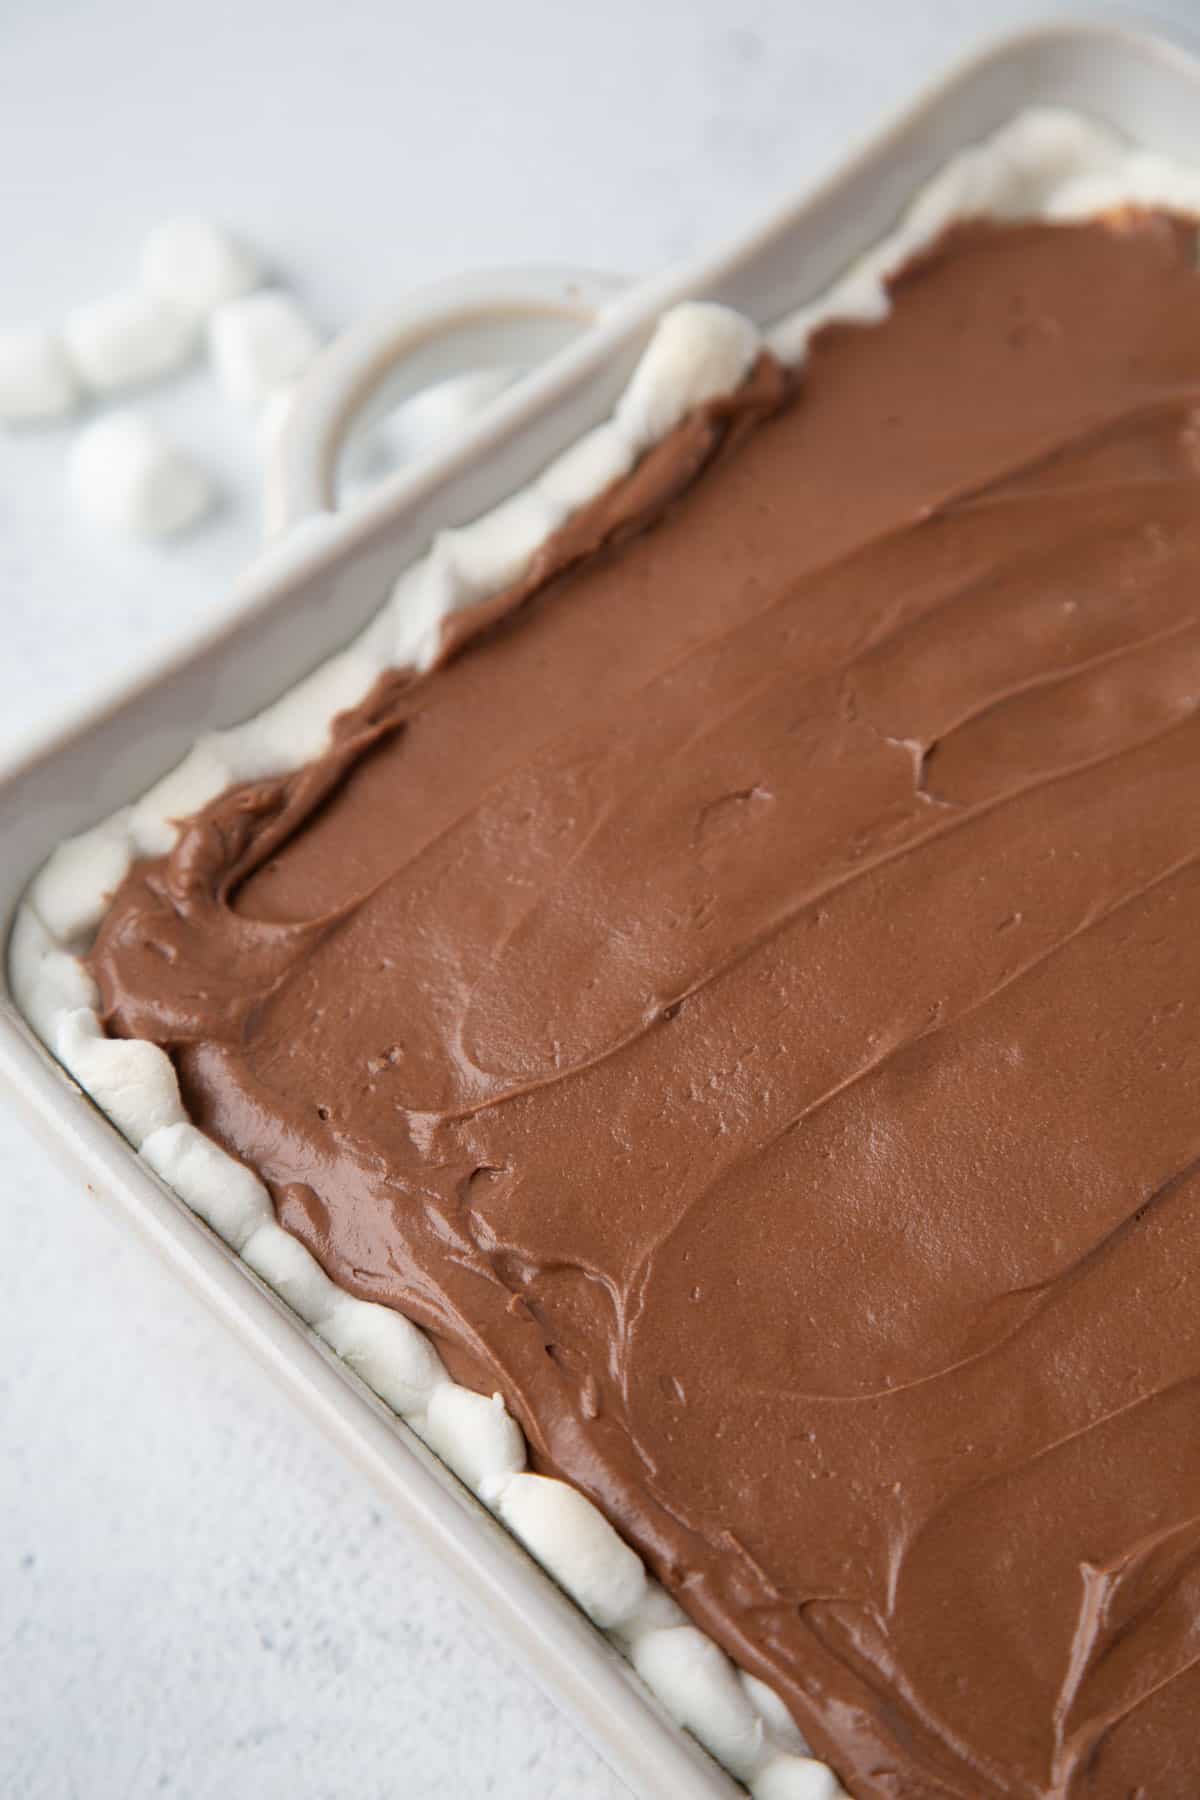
(129, 476)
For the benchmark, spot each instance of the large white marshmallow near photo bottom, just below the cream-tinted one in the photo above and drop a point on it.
(701, 1689)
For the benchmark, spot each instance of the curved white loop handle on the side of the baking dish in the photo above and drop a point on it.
(501, 319)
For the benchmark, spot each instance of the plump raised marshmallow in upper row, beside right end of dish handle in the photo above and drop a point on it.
(697, 354)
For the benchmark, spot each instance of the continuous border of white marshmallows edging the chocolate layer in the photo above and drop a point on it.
(1043, 165)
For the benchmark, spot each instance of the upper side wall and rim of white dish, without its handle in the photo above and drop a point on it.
(307, 600)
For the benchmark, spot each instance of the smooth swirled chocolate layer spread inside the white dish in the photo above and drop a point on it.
(746, 1003)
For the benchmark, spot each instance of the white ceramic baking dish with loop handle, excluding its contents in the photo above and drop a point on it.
(321, 580)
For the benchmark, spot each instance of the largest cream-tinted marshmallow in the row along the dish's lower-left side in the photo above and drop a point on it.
(577, 1545)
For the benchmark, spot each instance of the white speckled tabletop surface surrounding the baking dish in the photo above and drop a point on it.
(197, 1597)
